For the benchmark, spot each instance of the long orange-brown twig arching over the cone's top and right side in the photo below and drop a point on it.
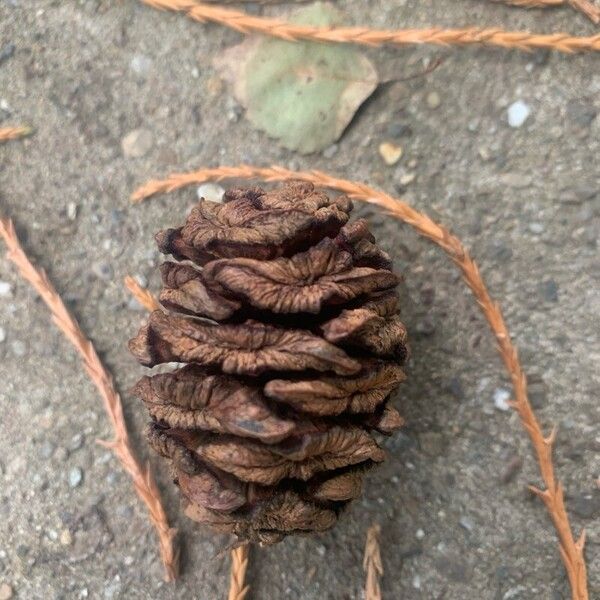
(571, 550)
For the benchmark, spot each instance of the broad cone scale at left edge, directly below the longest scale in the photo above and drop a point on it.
(191, 398)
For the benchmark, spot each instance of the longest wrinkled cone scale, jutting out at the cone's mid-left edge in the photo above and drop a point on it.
(250, 348)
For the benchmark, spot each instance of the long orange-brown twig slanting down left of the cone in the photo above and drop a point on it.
(143, 481)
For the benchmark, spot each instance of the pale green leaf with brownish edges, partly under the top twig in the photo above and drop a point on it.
(303, 93)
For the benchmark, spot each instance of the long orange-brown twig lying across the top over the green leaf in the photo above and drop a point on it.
(490, 36)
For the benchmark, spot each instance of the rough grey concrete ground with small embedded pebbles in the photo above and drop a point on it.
(457, 519)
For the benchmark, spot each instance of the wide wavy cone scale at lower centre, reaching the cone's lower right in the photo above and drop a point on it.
(312, 453)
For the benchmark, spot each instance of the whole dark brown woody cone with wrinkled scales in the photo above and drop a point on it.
(287, 317)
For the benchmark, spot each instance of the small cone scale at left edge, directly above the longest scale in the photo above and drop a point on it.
(186, 290)
